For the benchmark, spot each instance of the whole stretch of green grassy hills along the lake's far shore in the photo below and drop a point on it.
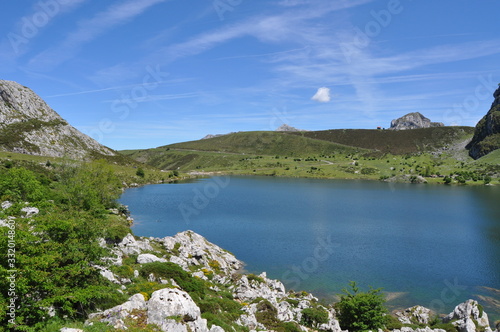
(374, 154)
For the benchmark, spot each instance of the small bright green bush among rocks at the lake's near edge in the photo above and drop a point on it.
(361, 311)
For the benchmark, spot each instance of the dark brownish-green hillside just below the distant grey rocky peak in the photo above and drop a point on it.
(391, 141)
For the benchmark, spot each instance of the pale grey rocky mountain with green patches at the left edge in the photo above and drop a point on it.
(28, 125)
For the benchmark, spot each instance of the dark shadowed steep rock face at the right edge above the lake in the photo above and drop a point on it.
(487, 135)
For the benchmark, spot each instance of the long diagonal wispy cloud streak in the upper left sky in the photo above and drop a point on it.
(88, 30)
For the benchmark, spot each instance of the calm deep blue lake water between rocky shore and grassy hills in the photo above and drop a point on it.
(423, 244)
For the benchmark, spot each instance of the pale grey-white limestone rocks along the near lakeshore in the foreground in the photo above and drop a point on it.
(172, 309)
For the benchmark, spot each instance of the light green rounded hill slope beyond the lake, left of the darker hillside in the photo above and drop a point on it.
(230, 150)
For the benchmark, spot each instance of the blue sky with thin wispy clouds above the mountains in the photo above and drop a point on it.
(144, 73)
